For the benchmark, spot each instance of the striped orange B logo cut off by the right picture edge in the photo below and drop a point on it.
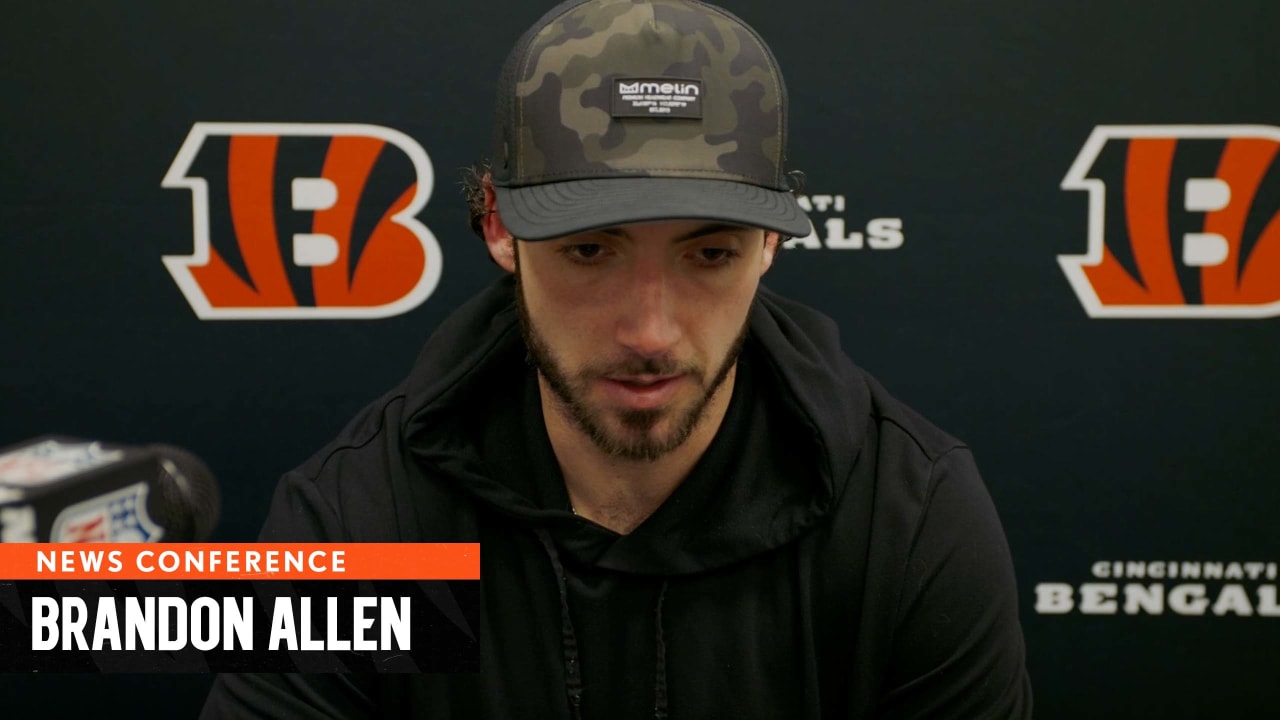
(1185, 222)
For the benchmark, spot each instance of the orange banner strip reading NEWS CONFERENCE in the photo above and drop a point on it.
(240, 562)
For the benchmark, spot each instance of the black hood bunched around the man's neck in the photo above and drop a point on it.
(793, 449)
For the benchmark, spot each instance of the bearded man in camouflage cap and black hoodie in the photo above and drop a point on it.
(691, 503)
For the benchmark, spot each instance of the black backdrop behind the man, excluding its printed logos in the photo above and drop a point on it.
(1127, 440)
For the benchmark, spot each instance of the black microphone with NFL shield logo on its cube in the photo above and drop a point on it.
(65, 490)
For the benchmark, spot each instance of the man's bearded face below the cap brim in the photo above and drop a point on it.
(636, 329)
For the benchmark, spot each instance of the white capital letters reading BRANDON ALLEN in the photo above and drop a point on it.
(170, 623)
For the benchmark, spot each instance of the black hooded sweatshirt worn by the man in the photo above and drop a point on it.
(831, 555)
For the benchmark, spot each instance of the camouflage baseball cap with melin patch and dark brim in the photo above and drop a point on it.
(614, 112)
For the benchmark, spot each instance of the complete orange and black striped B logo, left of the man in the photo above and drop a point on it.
(300, 221)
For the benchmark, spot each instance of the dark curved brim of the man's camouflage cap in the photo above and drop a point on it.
(545, 212)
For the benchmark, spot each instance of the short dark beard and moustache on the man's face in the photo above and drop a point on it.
(639, 439)
